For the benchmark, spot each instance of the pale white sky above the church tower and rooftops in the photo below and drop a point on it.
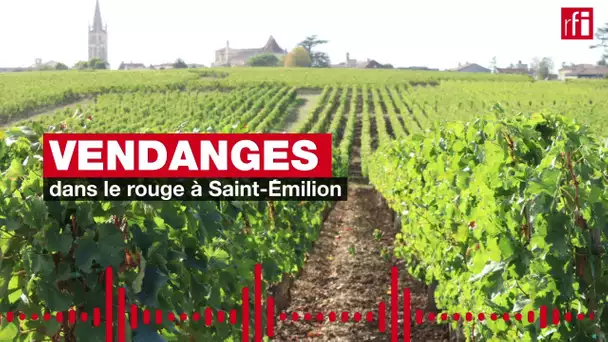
(433, 33)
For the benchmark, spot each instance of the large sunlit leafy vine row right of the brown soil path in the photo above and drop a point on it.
(505, 213)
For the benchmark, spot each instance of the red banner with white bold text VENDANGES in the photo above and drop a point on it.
(139, 155)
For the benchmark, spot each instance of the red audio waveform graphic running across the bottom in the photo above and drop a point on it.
(556, 316)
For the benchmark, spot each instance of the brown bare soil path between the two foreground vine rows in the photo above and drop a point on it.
(346, 271)
